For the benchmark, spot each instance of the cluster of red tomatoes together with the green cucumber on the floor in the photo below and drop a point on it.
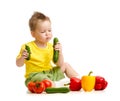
(45, 86)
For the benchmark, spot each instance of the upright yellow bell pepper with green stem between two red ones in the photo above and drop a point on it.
(88, 82)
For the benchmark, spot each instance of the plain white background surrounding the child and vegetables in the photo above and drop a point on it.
(89, 31)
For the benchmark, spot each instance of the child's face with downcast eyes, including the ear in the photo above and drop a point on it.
(43, 32)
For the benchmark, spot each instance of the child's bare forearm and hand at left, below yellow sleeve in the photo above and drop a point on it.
(20, 59)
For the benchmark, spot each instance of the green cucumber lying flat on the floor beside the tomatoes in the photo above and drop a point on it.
(57, 90)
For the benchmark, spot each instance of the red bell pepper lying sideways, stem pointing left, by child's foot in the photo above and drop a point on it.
(75, 84)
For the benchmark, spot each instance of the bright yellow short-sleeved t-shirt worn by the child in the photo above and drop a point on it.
(40, 59)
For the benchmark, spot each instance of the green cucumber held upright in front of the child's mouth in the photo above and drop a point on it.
(56, 52)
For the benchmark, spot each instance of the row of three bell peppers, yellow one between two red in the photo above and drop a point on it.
(87, 83)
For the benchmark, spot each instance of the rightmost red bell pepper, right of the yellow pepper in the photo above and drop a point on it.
(100, 83)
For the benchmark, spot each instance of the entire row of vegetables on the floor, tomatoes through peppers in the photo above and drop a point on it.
(87, 83)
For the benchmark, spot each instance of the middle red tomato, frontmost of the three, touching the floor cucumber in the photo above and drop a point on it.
(39, 87)
